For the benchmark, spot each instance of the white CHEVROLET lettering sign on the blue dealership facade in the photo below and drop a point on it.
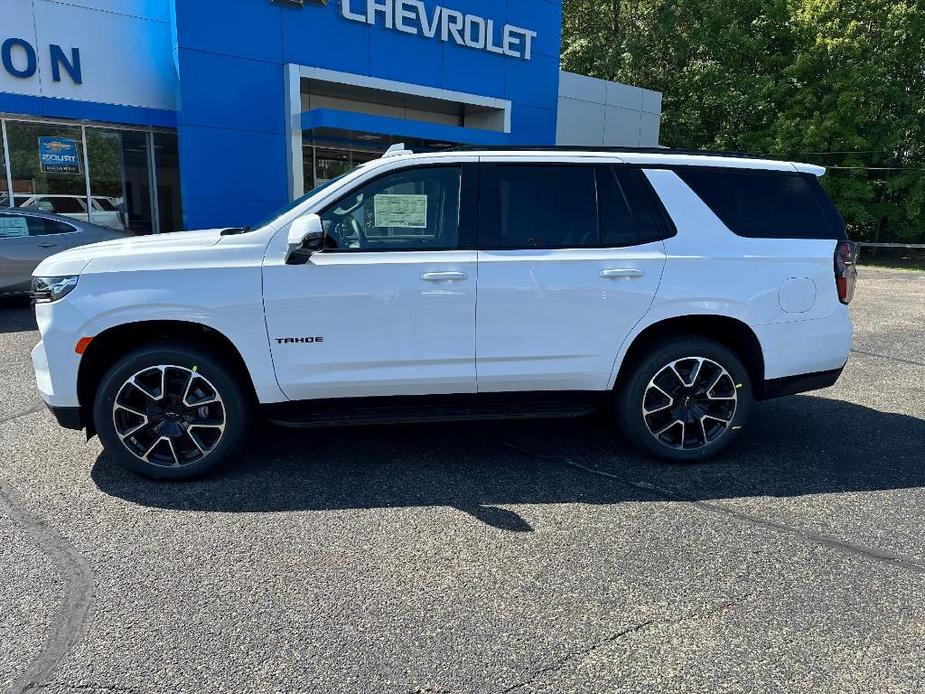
(443, 24)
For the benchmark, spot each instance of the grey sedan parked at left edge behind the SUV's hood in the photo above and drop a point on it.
(29, 236)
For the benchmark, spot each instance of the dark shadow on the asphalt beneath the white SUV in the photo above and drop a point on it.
(794, 446)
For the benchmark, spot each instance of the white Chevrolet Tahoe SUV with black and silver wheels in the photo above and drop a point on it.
(673, 287)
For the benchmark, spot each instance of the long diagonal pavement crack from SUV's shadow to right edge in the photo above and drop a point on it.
(841, 546)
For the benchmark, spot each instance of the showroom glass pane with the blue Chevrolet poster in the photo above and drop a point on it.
(47, 160)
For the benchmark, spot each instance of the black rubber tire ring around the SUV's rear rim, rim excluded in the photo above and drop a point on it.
(629, 401)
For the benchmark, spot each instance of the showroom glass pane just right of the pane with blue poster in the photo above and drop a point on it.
(119, 179)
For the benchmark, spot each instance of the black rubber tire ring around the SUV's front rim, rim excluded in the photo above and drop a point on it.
(236, 404)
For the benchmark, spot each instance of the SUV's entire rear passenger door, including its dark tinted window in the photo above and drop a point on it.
(570, 261)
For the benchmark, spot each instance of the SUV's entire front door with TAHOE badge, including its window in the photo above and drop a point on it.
(388, 308)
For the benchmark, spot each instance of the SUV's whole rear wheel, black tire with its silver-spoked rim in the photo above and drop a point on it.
(663, 414)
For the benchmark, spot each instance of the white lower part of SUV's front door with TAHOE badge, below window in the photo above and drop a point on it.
(384, 328)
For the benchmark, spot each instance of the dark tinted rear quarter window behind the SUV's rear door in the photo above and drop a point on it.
(767, 204)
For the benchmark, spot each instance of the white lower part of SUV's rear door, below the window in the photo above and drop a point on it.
(555, 320)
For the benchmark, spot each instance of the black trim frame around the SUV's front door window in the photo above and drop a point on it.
(468, 205)
